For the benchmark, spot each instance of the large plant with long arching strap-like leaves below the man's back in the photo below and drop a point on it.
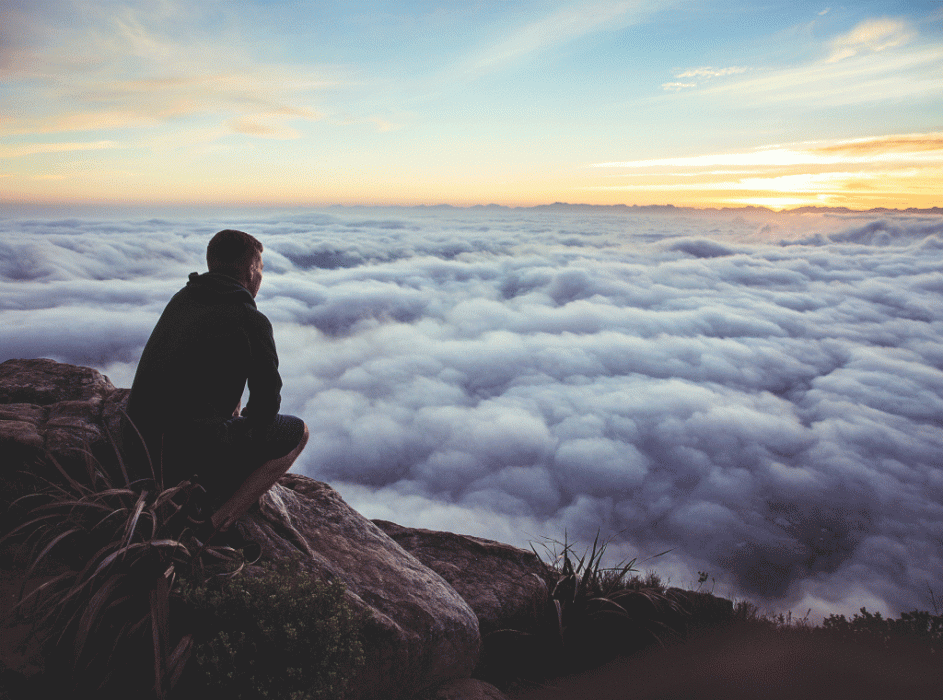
(110, 549)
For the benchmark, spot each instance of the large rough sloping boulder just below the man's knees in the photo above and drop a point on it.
(421, 631)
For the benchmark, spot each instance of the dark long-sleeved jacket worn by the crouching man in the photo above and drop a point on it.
(209, 342)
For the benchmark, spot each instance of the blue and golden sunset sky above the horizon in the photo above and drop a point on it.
(703, 103)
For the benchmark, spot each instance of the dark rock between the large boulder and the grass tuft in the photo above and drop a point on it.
(505, 586)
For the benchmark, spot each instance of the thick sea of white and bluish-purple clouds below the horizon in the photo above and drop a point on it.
(759, 393)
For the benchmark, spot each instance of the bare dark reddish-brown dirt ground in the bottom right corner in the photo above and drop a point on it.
(750, 666)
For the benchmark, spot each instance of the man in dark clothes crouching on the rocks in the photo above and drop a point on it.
(211, 341)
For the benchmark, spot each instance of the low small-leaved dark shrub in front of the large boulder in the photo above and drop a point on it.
(274, 633)
